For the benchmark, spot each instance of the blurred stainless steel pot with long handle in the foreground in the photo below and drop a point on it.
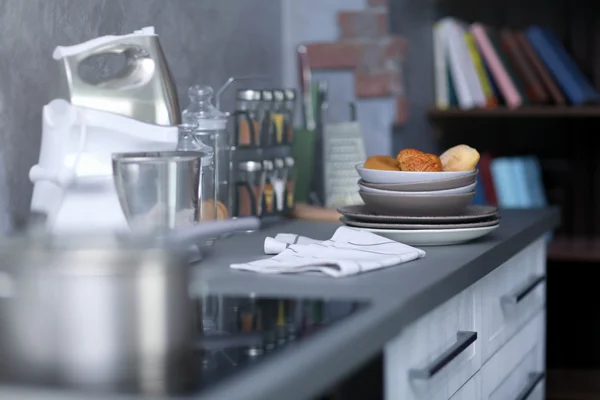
(109, 313)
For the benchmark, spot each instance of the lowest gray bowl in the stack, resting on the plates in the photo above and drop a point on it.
(417, 204)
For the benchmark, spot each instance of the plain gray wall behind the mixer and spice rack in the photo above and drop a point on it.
(204, 40)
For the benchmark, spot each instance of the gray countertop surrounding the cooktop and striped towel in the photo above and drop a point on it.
(397, 296)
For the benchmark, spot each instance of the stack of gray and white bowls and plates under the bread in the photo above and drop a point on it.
(420, 208)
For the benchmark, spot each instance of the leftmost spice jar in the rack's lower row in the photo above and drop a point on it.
(249, 189)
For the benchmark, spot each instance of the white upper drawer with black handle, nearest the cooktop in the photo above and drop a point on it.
(433, 357)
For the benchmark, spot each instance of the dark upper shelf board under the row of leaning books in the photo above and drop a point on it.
(523, 112)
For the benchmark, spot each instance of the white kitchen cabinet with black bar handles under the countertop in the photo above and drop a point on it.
(487, 342)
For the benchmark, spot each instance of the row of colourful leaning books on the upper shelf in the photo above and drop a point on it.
(478, 66)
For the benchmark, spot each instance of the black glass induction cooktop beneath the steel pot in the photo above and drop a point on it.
(236, 333)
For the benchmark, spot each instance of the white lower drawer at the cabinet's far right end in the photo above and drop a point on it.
(517, 371)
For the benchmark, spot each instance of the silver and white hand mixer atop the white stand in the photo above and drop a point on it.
(143, 89)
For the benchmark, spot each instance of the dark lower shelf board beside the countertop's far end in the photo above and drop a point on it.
(582, 249)
